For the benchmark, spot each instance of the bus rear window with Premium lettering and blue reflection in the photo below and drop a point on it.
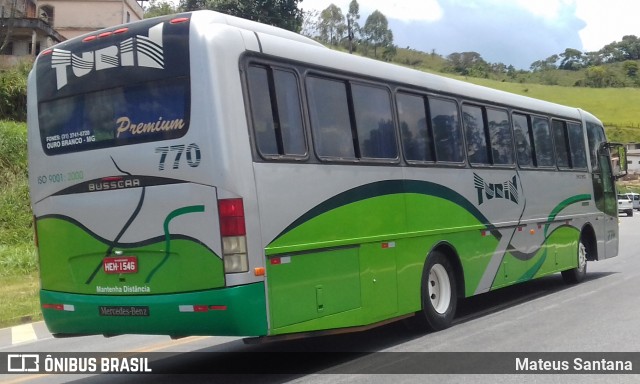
(156, 110)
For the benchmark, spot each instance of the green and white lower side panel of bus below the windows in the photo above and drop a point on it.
(388, 227)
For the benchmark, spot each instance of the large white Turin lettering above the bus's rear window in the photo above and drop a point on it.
(148, 50)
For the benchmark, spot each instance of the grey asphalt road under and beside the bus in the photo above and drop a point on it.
(544, 316)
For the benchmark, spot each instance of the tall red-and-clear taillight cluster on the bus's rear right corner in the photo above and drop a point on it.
(233, 232)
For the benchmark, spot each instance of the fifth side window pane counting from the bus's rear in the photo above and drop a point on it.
(416, 138)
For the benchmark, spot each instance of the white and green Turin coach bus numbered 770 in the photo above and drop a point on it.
(200, 174)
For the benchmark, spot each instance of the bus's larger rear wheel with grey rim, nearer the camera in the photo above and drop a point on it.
(438, 295)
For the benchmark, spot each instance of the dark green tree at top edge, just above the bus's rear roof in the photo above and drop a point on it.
(280, 13)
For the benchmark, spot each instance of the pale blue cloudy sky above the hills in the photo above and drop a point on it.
(513, 32)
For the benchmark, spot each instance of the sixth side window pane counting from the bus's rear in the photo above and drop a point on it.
(447, 132)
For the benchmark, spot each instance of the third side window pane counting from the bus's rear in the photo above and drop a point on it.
(330, 119)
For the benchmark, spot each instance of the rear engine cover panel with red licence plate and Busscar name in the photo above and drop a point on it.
(155, 248)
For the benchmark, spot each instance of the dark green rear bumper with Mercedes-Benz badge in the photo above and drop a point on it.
(235, 311)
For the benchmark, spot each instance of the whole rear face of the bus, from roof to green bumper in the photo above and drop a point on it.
(119, 231)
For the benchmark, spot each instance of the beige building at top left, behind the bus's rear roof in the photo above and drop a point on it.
(73, 18)
